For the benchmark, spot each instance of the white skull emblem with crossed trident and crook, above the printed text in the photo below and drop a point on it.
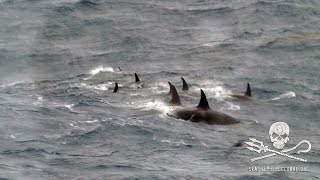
(279, 136)
